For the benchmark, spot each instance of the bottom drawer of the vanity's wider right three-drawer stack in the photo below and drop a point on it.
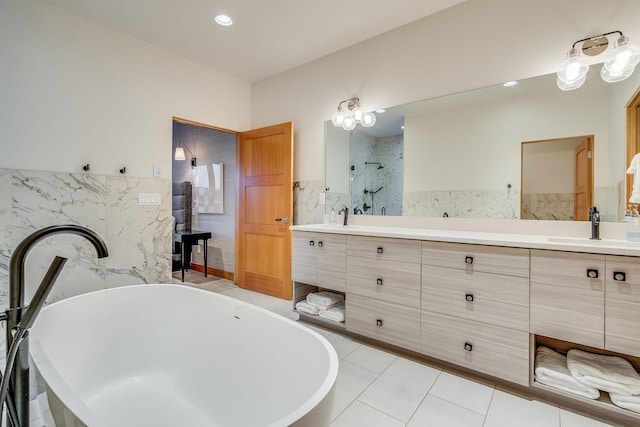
(497, 351)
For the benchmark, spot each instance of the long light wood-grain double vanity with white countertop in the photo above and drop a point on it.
(482, 301)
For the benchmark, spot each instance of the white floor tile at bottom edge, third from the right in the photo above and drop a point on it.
(436, 412)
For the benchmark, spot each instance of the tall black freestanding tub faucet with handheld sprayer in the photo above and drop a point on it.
(20, 318)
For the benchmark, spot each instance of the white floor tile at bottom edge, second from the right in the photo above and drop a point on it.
(507, 410)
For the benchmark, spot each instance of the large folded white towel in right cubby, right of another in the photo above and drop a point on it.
(609, 373)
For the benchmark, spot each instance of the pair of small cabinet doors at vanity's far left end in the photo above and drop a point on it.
(319, 259)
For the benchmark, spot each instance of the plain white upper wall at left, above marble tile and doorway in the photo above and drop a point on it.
(76, 92)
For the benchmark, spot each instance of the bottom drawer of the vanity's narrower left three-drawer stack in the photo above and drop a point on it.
(385, 321)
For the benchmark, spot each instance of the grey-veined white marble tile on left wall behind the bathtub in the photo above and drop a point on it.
(138, 237)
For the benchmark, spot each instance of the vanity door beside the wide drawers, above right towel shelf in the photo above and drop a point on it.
(565, 302)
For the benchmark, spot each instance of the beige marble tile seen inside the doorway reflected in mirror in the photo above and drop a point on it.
(548, 206)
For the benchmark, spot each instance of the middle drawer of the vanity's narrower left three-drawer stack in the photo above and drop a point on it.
(388, 280)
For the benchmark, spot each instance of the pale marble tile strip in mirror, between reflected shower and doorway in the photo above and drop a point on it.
(502, 204)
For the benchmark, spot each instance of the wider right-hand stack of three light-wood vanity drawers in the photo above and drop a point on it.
(475, 308)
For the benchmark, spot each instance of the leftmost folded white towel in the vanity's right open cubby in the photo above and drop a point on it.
(551, 369)
